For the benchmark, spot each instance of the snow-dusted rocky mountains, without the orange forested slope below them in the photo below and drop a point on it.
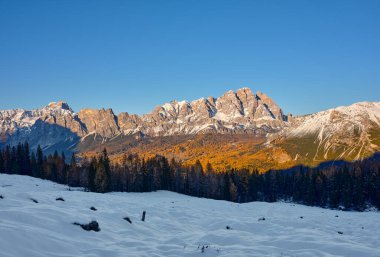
(348, 131)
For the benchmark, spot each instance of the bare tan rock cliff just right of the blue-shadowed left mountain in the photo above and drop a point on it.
(102, 122)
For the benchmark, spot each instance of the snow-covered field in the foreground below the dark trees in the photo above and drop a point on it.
(176, 225)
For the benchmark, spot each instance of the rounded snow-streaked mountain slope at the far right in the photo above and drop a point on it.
(349, 132)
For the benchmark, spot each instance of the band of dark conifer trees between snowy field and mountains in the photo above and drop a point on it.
(353, 186)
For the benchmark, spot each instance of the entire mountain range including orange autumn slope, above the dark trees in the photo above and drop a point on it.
(237, 129)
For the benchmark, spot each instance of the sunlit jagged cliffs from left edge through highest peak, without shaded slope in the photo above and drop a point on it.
(240, 112)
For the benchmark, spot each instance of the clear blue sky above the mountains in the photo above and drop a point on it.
(134, 55)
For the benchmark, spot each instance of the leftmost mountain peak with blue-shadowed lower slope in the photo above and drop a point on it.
(54, 127)
